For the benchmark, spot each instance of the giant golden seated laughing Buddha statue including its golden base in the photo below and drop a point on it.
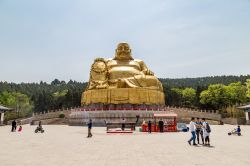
(122, 80)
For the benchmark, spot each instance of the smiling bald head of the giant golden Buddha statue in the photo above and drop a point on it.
(123, 52)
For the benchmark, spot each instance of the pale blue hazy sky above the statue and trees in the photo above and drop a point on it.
(44, 40)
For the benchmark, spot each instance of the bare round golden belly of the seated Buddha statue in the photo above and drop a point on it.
(122, 72)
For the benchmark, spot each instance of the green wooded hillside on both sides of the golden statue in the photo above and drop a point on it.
(216, 92)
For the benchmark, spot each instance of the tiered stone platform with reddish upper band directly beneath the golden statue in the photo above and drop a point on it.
(102, 114)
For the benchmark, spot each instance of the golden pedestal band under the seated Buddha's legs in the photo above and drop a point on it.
(123, 96)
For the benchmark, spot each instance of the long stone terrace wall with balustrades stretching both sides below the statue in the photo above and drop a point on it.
(77, 116)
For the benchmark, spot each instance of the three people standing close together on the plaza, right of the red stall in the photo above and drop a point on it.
(199, 128)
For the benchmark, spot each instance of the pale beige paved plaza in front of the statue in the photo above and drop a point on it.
(68, 146)
